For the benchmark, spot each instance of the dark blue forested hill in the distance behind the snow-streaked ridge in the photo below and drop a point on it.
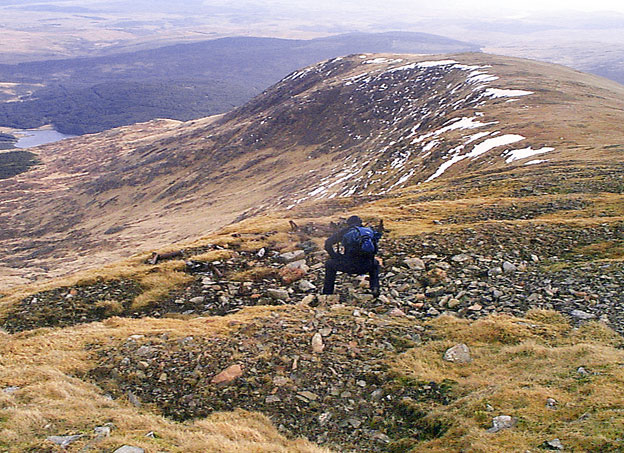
(183, 82)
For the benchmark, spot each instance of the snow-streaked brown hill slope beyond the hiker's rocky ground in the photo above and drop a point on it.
(361, 125)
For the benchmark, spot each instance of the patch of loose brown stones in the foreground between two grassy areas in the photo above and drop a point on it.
(341, 394)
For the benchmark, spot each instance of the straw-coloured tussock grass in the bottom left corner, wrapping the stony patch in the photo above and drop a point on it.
(52, 400)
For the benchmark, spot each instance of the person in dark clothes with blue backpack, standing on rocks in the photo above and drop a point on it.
(360, 246)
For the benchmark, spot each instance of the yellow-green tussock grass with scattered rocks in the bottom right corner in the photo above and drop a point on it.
(518, 364)
